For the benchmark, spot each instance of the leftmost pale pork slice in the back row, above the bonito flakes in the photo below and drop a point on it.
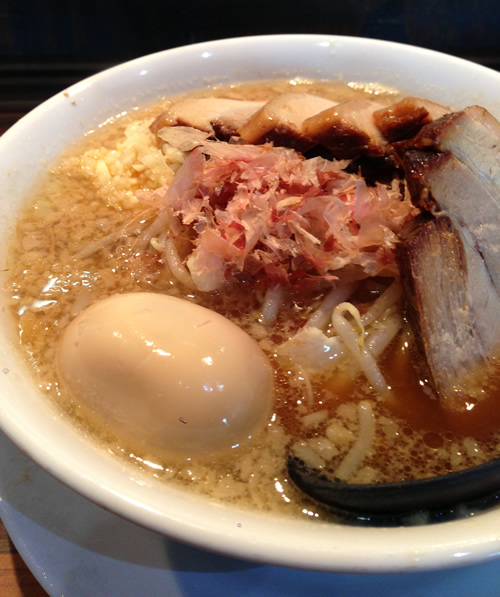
(218, 116)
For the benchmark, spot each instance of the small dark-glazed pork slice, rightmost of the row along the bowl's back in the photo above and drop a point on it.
(405, 118)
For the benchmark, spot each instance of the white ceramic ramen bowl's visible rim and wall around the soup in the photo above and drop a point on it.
(29, 419)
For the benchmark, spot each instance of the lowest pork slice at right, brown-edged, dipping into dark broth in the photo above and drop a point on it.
(454, 309)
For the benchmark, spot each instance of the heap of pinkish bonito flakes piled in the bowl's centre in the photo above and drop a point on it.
(269, 212)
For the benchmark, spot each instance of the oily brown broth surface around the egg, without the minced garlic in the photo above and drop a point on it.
(49, 286)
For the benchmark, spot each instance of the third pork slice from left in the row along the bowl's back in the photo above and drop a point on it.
(348, 129)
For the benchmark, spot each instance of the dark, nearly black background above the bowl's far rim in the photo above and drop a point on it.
(46, 45)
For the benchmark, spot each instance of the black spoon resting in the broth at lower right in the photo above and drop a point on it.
(475, 485)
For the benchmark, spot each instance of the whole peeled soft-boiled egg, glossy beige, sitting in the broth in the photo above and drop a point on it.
(167, 373)
